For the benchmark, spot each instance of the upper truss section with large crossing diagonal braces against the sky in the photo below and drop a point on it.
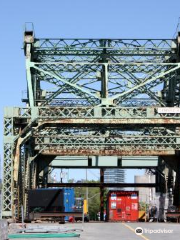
(99, 71)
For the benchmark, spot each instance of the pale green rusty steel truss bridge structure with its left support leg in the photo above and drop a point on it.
(112, 97)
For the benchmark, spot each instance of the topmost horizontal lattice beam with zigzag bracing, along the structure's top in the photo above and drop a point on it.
(80, 47)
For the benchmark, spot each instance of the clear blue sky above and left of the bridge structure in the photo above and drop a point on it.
(75, 19)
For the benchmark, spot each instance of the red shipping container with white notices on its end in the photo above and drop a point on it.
(122, 206)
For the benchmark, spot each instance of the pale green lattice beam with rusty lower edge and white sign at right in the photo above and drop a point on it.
(98, 114)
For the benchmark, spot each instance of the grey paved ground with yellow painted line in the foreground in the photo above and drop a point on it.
(125, 231)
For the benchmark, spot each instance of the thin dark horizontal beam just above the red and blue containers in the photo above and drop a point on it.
(114, 185)
